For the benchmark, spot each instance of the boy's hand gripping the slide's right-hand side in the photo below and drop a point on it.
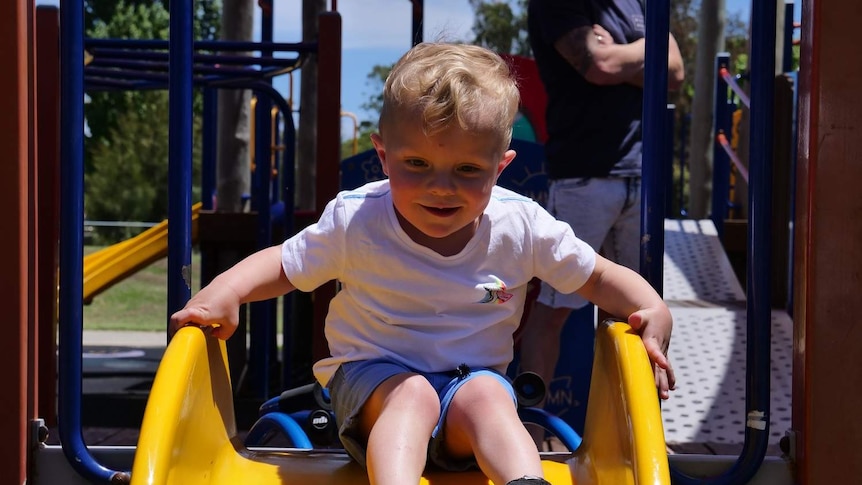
(654, 326)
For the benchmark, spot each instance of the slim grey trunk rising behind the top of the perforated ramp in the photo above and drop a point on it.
(711, 21)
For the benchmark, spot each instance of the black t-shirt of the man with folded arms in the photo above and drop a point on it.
(593, 131)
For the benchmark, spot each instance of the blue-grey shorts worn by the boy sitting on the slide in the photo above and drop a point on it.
(353, 383)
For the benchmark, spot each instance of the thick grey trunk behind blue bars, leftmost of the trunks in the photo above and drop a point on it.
(234, 117)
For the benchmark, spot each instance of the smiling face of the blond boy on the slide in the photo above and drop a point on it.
(440, 184)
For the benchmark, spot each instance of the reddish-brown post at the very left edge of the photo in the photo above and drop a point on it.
(16, 128)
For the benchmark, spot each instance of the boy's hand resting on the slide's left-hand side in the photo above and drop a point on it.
(216, 306)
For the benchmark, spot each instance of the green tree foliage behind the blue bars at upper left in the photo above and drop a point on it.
(126, 154)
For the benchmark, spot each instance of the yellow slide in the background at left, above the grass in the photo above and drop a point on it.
(112, 264)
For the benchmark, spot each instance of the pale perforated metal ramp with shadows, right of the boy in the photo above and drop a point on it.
(708, 344)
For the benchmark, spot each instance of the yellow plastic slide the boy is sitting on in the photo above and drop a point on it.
(188, 435)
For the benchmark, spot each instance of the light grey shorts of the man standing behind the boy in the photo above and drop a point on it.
(604, 213)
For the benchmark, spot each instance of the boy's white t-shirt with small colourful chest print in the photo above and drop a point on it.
(405, 302)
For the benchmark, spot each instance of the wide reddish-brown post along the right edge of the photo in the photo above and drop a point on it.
(827, 366)
